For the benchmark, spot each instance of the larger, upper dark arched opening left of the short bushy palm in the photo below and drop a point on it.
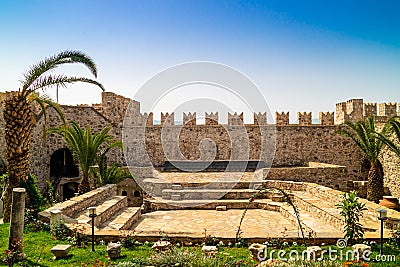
(62, 164)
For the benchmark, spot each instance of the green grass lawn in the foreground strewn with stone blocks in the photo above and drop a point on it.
(37, 247)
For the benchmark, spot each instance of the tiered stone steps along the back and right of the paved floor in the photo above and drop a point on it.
(316, 204)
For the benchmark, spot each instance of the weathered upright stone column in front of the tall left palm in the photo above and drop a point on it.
(17, 220)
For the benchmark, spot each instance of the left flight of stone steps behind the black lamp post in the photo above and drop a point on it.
(112, 210)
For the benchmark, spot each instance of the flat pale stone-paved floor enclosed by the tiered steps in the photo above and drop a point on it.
(223, 224)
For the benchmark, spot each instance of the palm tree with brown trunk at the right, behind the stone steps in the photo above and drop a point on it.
(363, 133)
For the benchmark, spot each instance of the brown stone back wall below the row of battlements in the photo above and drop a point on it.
(295, 146)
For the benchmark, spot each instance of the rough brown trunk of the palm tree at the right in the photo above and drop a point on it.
(375, 182)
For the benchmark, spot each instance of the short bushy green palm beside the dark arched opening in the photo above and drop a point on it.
(86, 148)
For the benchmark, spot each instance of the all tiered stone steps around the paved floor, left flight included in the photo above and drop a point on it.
(316, 206)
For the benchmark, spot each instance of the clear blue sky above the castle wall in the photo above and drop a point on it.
(303, 55)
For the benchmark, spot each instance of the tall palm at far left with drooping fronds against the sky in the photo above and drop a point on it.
(19, 117)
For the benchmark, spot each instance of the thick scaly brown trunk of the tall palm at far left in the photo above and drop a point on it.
(19, 120)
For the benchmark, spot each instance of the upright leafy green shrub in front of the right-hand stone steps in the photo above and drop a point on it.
(352, 210)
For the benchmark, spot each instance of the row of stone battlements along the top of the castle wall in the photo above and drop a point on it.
(114, 107)
